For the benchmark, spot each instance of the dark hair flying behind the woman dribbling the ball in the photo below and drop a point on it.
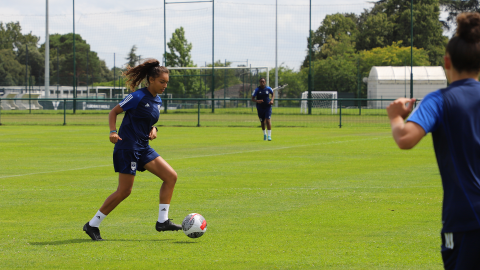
(150, 68)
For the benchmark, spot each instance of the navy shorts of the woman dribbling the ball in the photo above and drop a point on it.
(130, 161)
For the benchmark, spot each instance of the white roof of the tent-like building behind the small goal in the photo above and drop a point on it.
(420, 73)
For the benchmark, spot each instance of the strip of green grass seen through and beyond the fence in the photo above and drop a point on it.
(228, 117)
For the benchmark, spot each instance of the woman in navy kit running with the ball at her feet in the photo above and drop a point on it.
(132, 152)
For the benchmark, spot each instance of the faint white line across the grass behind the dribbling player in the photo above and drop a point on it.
(212, 155)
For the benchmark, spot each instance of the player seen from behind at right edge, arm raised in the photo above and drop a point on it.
(452, 115)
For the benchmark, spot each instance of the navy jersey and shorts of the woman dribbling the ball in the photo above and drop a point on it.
(142, 111)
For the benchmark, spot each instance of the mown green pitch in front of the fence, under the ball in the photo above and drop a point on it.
(313, 198)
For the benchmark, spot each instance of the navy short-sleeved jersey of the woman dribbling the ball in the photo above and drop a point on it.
(141, 113)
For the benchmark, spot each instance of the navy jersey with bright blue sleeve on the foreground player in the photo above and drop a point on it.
(453, 116)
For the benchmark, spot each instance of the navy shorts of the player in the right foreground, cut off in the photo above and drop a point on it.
(461, 250)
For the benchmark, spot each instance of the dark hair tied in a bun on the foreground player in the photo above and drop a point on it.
(464, 47)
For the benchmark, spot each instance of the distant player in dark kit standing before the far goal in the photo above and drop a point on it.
(261, 96)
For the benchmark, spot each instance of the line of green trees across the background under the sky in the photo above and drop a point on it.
(344, 47)
